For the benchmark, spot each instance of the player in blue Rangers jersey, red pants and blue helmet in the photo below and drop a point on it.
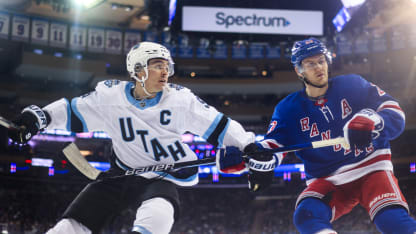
(338, 178)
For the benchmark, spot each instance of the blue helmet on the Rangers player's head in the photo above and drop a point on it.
(308, 48)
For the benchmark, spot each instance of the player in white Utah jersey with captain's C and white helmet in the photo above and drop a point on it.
(145, 120)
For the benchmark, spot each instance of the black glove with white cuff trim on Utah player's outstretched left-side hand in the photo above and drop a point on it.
(30, 121)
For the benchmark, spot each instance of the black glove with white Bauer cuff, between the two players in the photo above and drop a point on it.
(261, 168)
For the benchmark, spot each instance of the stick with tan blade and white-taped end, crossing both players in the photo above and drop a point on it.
(75, 157)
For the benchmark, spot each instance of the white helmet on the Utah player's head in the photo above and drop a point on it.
(140, 54)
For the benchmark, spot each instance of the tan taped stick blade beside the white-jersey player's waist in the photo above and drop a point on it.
(73, 154)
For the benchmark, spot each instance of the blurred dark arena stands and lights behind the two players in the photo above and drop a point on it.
(234, 54)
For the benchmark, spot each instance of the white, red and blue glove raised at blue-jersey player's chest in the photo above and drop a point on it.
(362, 128)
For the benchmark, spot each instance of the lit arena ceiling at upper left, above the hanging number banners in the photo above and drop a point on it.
(117, 13)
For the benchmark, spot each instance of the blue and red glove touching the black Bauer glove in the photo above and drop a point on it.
(230, 160)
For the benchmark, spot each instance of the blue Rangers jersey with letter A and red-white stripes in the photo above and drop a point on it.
(299, 119)
